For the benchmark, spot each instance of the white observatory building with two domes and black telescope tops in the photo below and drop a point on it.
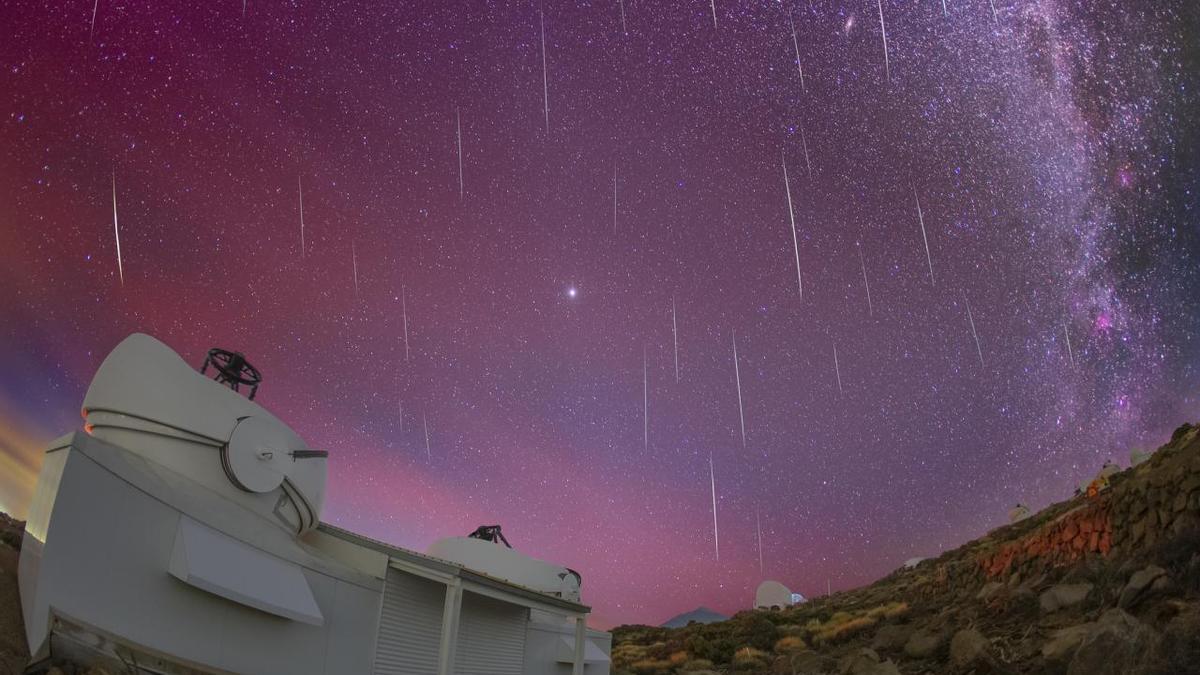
(182, 533)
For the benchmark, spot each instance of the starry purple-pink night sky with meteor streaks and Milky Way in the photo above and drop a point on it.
(533, 234)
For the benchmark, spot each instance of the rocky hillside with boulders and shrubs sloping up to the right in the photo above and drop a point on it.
(1096, 586)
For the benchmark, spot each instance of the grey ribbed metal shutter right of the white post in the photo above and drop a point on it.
(491, 637)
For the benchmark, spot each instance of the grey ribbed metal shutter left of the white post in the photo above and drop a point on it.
(410, 626)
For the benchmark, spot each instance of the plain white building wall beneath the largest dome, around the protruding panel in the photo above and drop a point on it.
(105, 564)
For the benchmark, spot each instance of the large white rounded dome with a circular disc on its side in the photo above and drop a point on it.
(148, 401)
